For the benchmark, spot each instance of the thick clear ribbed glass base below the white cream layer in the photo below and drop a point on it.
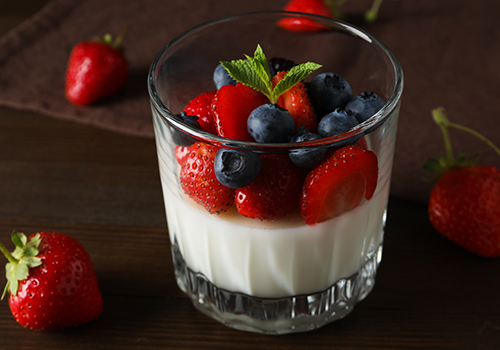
(294, 314)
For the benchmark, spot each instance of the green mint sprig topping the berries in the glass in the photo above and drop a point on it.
(254, 72)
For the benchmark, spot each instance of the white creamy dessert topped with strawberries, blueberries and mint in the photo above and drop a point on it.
(283, 223)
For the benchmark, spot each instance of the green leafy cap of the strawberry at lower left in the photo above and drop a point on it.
(20, 260)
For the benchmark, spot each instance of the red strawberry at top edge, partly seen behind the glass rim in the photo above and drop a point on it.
(298, 24)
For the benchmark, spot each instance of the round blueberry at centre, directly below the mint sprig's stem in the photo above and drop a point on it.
(270, 123)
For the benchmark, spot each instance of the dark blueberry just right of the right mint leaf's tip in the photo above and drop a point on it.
(329, 91)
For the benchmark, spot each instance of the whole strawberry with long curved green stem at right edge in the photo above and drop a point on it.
(464, 205)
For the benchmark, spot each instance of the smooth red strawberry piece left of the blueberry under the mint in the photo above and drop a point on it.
(231, 107)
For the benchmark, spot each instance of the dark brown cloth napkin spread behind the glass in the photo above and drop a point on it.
(449, 51)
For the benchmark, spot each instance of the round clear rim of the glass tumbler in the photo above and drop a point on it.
(373, 122)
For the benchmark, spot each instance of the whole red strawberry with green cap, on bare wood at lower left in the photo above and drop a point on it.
(51, 281)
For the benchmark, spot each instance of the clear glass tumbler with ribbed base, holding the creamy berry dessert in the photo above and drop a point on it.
(274, 276)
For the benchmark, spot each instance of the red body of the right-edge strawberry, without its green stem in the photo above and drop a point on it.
(464, 206)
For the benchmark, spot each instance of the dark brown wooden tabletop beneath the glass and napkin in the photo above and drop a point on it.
(103, 188)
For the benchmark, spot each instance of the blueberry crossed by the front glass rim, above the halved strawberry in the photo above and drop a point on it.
(307, 157)
